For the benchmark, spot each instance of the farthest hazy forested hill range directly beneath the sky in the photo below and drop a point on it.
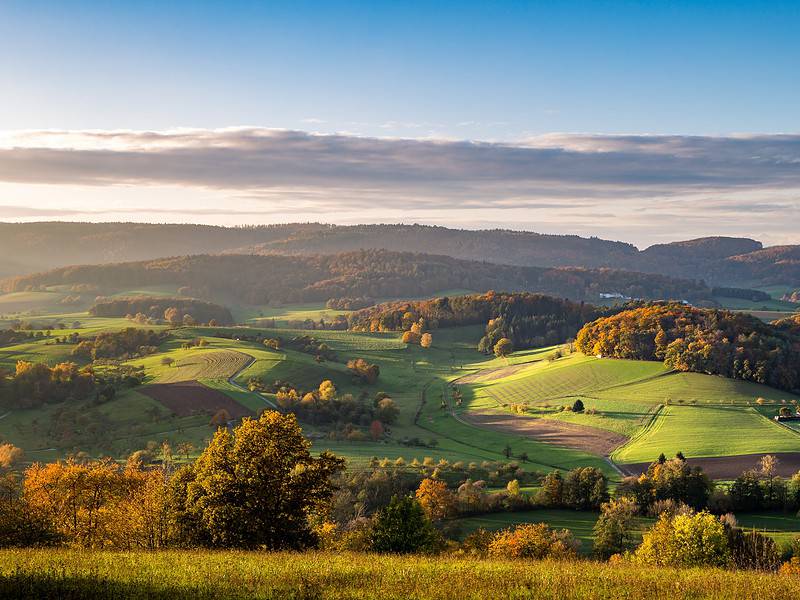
(737, 262)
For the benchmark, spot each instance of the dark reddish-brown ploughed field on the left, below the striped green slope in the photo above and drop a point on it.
(191, 398)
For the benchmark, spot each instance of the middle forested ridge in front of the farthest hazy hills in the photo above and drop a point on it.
(374, 273)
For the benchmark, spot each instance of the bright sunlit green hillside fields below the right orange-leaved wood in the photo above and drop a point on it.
(700, 415)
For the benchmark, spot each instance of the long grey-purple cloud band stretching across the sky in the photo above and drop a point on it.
(265, 158)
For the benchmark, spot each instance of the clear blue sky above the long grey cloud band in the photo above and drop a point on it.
(460, 69)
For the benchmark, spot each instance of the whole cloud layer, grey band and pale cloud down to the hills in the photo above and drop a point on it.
(621, 183)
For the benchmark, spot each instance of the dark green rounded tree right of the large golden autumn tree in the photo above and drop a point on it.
(402, 527)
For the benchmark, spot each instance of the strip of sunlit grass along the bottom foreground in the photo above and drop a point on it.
(194, 574)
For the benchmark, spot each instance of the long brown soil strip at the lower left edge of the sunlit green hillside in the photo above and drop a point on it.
(590, 439)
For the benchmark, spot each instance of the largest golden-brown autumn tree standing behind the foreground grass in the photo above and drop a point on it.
(255, 487)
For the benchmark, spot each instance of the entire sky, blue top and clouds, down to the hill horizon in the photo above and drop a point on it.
(639, 121)
